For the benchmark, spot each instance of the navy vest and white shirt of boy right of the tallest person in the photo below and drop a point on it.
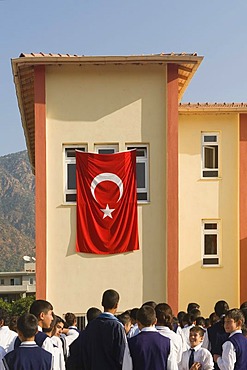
(150, 350)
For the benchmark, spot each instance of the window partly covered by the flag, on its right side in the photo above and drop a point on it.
(141, 171)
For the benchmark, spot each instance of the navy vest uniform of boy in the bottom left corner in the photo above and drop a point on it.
(28, 356)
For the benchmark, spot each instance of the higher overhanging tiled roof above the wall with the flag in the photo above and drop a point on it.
(23, 71)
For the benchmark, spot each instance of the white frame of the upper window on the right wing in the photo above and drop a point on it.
(210, 145)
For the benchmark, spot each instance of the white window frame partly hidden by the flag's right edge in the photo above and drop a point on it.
(145, 160)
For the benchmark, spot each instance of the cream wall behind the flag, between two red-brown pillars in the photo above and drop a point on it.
(117, 104)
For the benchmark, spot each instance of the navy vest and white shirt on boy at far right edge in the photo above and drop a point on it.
(234, 352)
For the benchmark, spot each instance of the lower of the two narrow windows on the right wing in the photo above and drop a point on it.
(210, 241)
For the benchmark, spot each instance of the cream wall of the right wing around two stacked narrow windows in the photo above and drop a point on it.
(208, 199)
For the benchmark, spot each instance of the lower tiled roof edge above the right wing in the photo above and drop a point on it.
(212, 107)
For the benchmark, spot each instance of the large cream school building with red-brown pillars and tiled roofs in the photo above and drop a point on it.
(190, 170)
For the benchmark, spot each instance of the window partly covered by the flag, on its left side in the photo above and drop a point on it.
(70, 173)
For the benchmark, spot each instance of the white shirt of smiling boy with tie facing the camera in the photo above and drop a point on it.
(201, 355)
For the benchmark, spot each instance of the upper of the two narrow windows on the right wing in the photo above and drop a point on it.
(210, 154)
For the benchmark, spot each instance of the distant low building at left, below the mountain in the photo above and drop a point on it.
(18, 284)
